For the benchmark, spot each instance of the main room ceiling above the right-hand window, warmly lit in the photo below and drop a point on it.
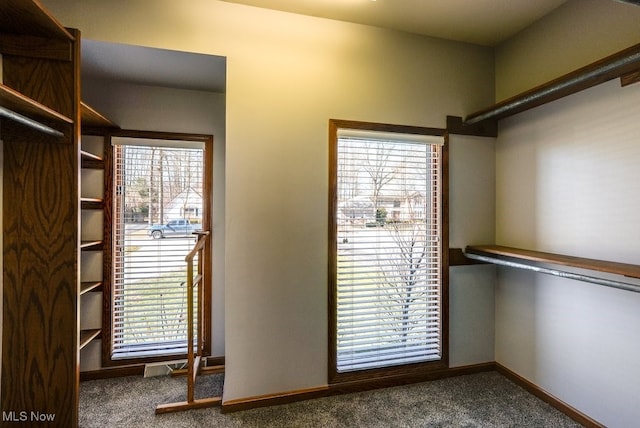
(483, 22)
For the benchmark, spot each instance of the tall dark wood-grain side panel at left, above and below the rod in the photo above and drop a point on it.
(40, 232)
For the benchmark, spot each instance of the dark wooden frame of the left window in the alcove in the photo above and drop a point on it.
(108, 267)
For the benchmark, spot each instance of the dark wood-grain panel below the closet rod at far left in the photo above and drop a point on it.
(40, 280)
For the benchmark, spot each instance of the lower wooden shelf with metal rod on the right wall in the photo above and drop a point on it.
(523, 259)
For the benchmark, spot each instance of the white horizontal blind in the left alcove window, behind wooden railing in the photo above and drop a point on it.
(154, 185)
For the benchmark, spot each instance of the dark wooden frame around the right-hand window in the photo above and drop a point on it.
(413, 369)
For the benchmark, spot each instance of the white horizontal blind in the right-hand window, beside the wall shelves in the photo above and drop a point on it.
(388, 249)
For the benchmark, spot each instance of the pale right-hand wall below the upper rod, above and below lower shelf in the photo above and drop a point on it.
(567, 182)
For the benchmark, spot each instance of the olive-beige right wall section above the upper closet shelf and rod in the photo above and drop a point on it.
(574, 35)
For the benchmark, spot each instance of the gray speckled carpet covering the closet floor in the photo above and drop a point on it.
(479, 400)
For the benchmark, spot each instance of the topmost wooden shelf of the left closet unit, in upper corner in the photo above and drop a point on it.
(29, 18)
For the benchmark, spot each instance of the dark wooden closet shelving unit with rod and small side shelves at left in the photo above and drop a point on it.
(40, 113)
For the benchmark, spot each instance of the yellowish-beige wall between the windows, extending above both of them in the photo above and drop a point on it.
(287, 75)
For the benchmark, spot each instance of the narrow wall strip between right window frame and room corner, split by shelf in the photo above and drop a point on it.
(472, 221)
